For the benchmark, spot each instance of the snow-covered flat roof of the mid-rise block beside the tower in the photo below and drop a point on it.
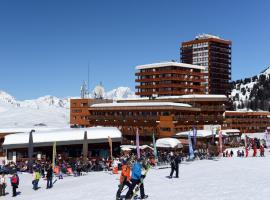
(166, 64)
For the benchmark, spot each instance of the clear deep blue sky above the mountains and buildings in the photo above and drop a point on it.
(45, 46)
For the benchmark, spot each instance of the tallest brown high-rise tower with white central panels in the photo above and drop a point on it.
(215, 54)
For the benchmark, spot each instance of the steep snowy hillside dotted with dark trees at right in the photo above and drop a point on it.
(252, 93)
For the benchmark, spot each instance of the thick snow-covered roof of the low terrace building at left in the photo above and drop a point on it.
(64, 136)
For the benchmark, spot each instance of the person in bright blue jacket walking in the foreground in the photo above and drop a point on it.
(136, 179)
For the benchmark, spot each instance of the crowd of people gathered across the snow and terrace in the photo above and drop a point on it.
(133, 169)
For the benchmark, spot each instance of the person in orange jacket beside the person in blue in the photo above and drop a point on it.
(124, 178)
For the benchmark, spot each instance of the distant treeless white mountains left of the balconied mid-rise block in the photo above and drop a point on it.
(46, 111)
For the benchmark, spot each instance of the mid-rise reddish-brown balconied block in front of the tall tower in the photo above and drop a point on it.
(169, 78)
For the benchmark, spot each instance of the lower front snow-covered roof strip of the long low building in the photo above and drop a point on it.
(140, 104)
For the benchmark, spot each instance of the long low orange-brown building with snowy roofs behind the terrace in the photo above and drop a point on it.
(163, 116)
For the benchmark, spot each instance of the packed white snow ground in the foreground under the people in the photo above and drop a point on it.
(220, 179)
